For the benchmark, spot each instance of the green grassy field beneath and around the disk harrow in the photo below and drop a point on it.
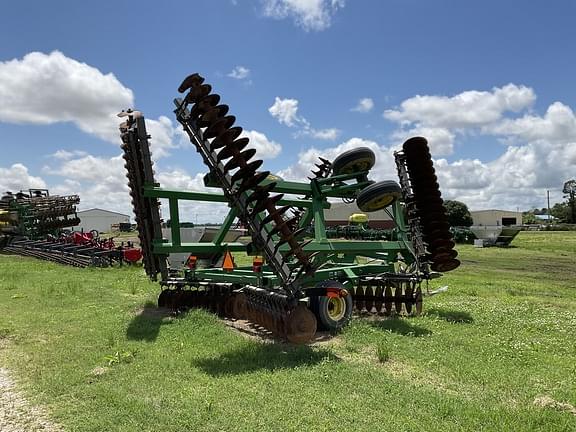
(495, 352)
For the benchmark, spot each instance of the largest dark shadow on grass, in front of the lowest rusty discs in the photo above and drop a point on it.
(262, 356)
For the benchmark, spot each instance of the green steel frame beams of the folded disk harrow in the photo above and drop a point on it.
(335, 259)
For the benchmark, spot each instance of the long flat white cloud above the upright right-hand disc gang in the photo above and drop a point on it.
(467, 109)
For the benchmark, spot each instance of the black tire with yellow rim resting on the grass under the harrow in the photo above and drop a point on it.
(332, 313)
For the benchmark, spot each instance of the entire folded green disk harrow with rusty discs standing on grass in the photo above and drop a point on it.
(305, 283)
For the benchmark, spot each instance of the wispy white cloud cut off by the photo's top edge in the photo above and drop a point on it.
(315, 15)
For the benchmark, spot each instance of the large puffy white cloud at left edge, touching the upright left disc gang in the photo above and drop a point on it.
(50, 88)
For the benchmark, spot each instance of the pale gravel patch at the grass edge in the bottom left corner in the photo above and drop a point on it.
(16, 414)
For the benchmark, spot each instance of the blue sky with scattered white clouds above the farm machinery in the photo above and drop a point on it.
(489, 83)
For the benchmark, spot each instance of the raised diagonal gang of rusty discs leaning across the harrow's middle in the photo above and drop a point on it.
(211, 130)
